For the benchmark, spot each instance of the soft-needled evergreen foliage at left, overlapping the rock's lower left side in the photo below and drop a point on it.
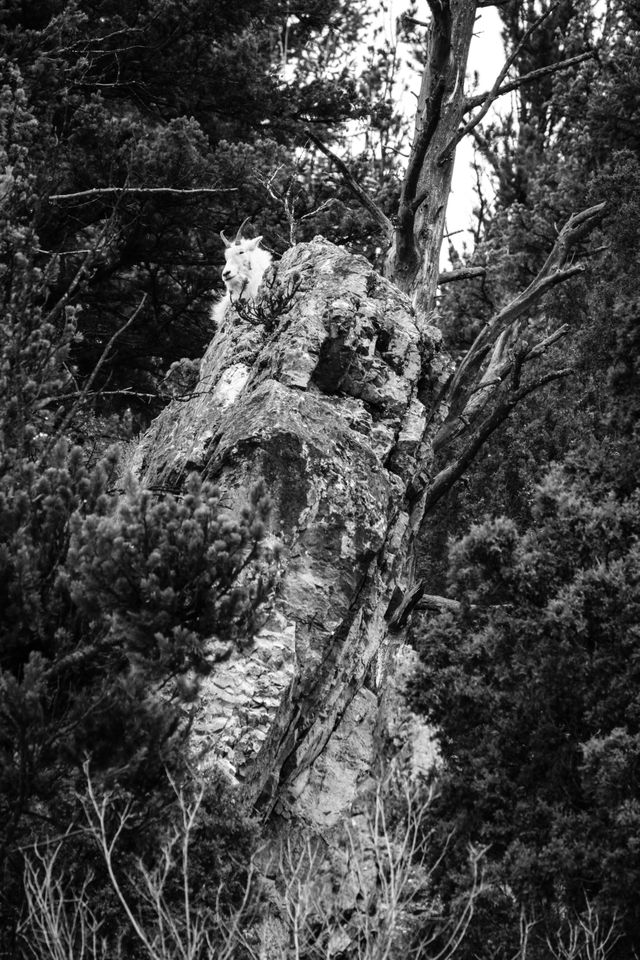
(112, 604)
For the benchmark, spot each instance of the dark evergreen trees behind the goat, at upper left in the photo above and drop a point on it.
(129, 102)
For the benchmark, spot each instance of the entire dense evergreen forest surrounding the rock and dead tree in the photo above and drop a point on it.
(130, 134)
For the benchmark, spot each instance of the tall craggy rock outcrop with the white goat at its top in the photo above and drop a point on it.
(320, 389)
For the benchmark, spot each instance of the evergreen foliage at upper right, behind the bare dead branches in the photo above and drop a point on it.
(557, 155)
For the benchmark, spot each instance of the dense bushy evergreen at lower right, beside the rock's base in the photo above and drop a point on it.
(533, 691)
